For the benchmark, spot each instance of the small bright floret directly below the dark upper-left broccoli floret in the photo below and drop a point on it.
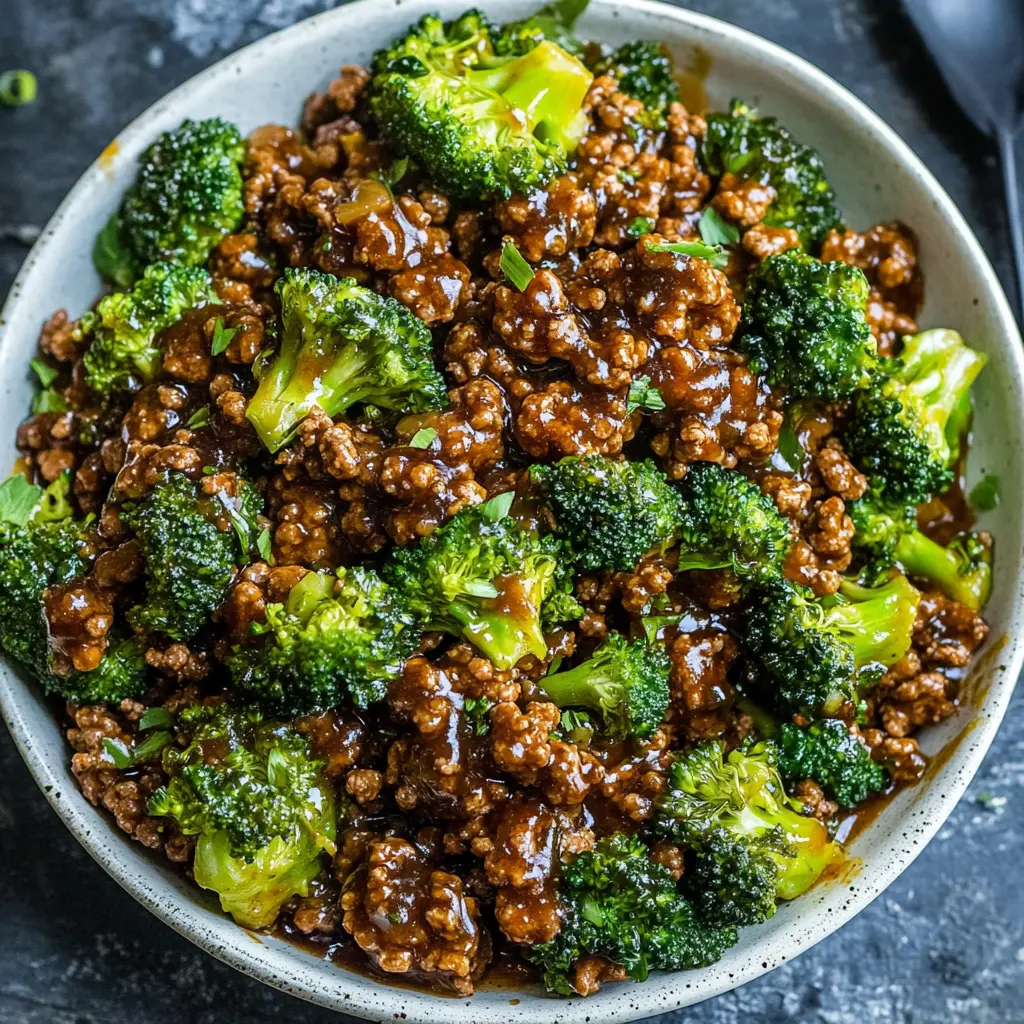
(123, 331)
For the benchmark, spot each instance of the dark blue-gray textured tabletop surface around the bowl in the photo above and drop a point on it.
(946, 946)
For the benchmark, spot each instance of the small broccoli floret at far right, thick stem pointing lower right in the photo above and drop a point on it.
(887, 535)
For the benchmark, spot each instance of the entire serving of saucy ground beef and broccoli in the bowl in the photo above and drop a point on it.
(511, 518)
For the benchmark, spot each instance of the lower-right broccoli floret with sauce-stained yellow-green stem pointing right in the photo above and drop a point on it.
(735, 814)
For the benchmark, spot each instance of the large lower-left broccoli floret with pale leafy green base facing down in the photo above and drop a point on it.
(252, 793)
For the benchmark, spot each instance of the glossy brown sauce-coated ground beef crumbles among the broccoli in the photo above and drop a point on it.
(465, 835)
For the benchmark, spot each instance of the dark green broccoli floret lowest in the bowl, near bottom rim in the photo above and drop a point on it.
(616, 903)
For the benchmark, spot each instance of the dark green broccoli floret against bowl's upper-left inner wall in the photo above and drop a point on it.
(186, 198)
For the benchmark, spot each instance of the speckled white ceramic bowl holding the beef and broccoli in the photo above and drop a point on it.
(877, 178)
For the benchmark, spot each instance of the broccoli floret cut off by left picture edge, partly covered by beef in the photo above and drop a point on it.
(40, 547)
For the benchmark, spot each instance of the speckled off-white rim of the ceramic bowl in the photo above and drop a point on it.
(807, 922)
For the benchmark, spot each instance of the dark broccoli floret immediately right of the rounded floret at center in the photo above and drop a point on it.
(728, 523)
